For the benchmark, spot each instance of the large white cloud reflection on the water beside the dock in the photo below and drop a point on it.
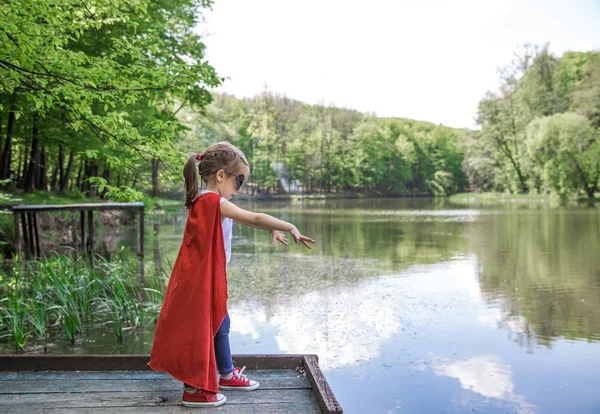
(347, 325)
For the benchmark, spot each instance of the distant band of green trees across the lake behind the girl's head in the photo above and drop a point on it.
(315, 148)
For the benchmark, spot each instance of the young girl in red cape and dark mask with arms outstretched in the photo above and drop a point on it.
(191, 341)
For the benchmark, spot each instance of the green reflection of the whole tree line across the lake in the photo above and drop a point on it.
(537, 269)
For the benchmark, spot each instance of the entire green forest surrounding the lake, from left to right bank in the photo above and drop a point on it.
(104, 100)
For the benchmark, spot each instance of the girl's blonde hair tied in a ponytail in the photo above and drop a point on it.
(221, 155)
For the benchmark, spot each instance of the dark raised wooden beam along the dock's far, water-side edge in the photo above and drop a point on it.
(25, 362)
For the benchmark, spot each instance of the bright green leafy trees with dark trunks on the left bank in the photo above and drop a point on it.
(98, 81)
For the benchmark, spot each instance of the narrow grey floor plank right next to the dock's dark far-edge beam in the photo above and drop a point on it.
(126, 375)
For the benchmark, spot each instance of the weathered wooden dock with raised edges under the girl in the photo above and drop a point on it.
(125, 384)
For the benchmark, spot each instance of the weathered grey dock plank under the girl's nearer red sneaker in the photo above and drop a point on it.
(147, 399)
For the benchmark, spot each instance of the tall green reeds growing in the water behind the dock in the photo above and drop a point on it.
(66, 292)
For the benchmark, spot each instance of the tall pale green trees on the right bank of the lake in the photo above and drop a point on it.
(540, 132)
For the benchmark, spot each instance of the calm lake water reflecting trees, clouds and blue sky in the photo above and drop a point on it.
(419, 305)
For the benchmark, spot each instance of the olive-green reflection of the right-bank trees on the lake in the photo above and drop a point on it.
(544, 268)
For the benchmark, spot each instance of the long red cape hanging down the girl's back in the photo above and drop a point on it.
(195, 303)
